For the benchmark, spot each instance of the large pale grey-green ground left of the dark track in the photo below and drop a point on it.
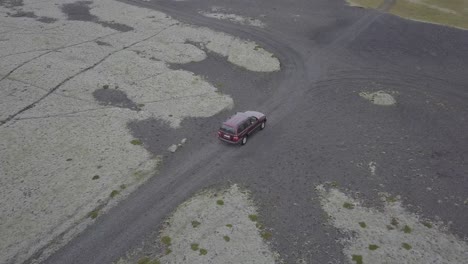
(74, 74)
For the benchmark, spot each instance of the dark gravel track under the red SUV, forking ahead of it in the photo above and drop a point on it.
(133, 218)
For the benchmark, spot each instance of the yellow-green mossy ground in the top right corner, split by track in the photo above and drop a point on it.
(452, 13)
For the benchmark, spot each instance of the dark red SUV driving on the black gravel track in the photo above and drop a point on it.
(238, 128)
